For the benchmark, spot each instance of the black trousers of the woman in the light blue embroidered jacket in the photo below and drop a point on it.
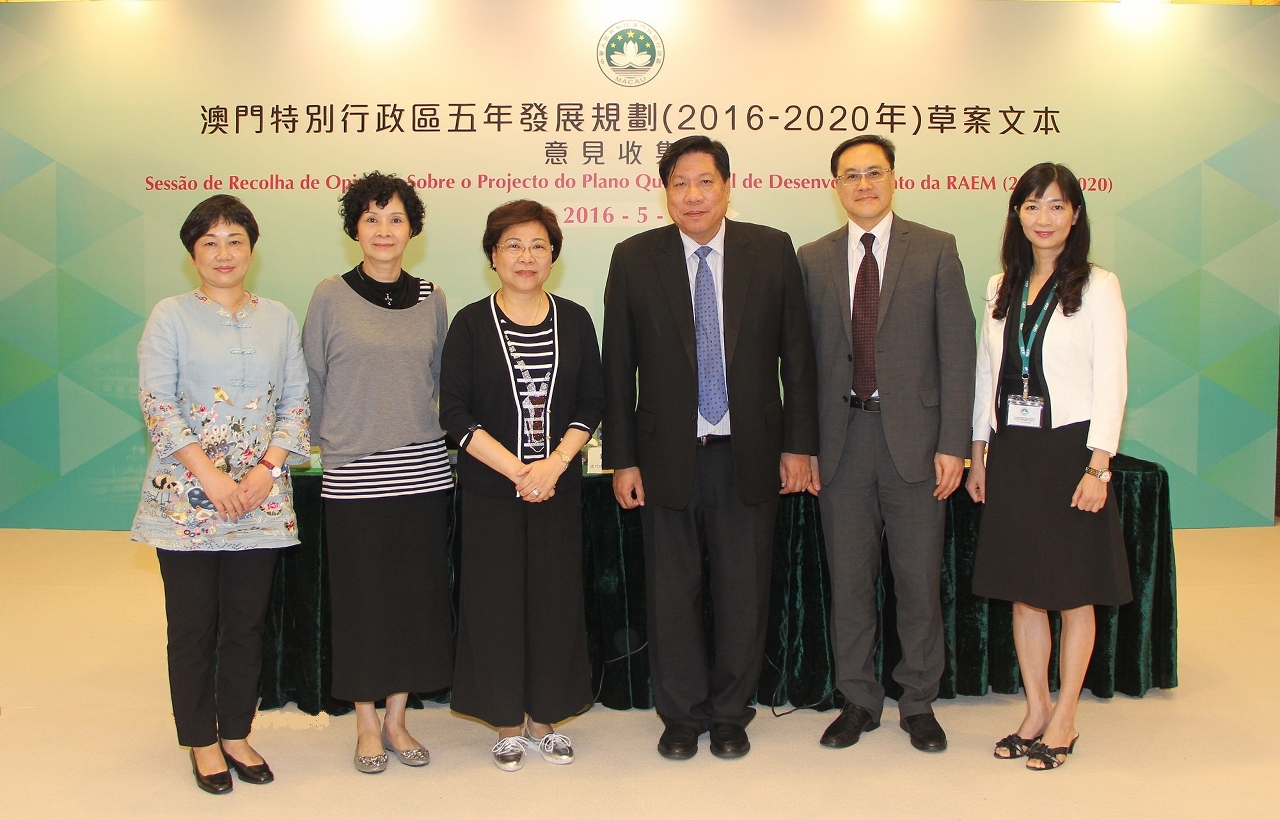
(216, 604)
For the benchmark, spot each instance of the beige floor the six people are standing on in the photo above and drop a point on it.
(86, 731)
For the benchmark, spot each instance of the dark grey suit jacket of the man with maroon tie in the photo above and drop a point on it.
(925, 347)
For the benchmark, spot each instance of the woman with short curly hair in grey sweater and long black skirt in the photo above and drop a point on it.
(373, 341)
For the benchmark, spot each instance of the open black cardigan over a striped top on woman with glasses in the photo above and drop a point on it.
(476, 388)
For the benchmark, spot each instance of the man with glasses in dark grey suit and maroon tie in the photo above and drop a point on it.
(894, 336)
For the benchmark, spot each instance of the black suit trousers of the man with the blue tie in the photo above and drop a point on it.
(689, 686)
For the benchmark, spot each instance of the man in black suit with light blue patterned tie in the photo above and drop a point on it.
(707, 313)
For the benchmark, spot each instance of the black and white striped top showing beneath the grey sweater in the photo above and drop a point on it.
(423, 468)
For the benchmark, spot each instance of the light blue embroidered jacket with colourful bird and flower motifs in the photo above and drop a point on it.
(236, 386)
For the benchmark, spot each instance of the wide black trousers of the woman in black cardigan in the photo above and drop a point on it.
(522, 620)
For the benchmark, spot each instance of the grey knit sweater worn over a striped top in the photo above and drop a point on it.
(374, 374)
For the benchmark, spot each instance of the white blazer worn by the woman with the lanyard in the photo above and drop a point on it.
(1086, 365)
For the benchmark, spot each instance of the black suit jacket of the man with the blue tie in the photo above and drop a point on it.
(651, 361)
